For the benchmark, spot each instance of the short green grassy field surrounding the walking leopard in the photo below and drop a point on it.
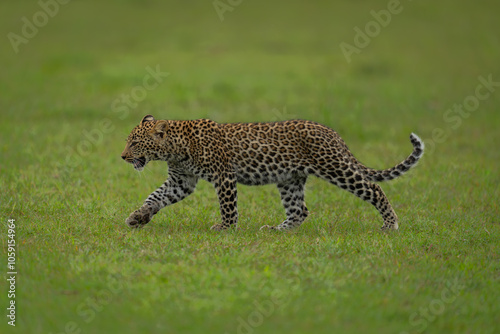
(76, 83)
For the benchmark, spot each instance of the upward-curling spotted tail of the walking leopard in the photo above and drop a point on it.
(401, 168)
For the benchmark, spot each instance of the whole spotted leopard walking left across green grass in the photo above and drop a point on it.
(284, 153)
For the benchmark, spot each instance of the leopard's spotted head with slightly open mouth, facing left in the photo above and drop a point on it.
(143, 142)
